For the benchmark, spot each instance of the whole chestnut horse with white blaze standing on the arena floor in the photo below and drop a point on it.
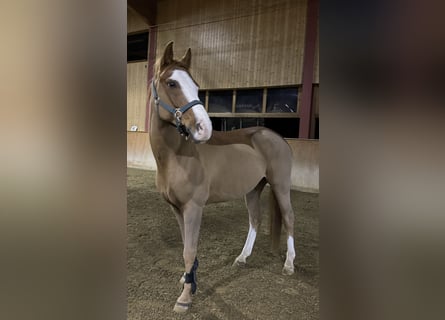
(212, 166)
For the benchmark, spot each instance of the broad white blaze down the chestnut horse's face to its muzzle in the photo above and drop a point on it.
(203, 130)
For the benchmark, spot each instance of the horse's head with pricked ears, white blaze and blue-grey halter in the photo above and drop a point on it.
(175, 91)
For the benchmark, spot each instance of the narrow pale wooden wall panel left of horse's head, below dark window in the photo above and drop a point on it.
(136, 94)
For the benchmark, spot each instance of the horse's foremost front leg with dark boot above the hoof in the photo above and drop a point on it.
(192, 215)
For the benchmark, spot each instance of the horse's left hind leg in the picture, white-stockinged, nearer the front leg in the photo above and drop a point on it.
(253, 207)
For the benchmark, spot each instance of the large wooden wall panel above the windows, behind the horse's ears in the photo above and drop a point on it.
(237, 43)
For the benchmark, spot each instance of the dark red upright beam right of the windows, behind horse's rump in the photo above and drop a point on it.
(308, 69)
